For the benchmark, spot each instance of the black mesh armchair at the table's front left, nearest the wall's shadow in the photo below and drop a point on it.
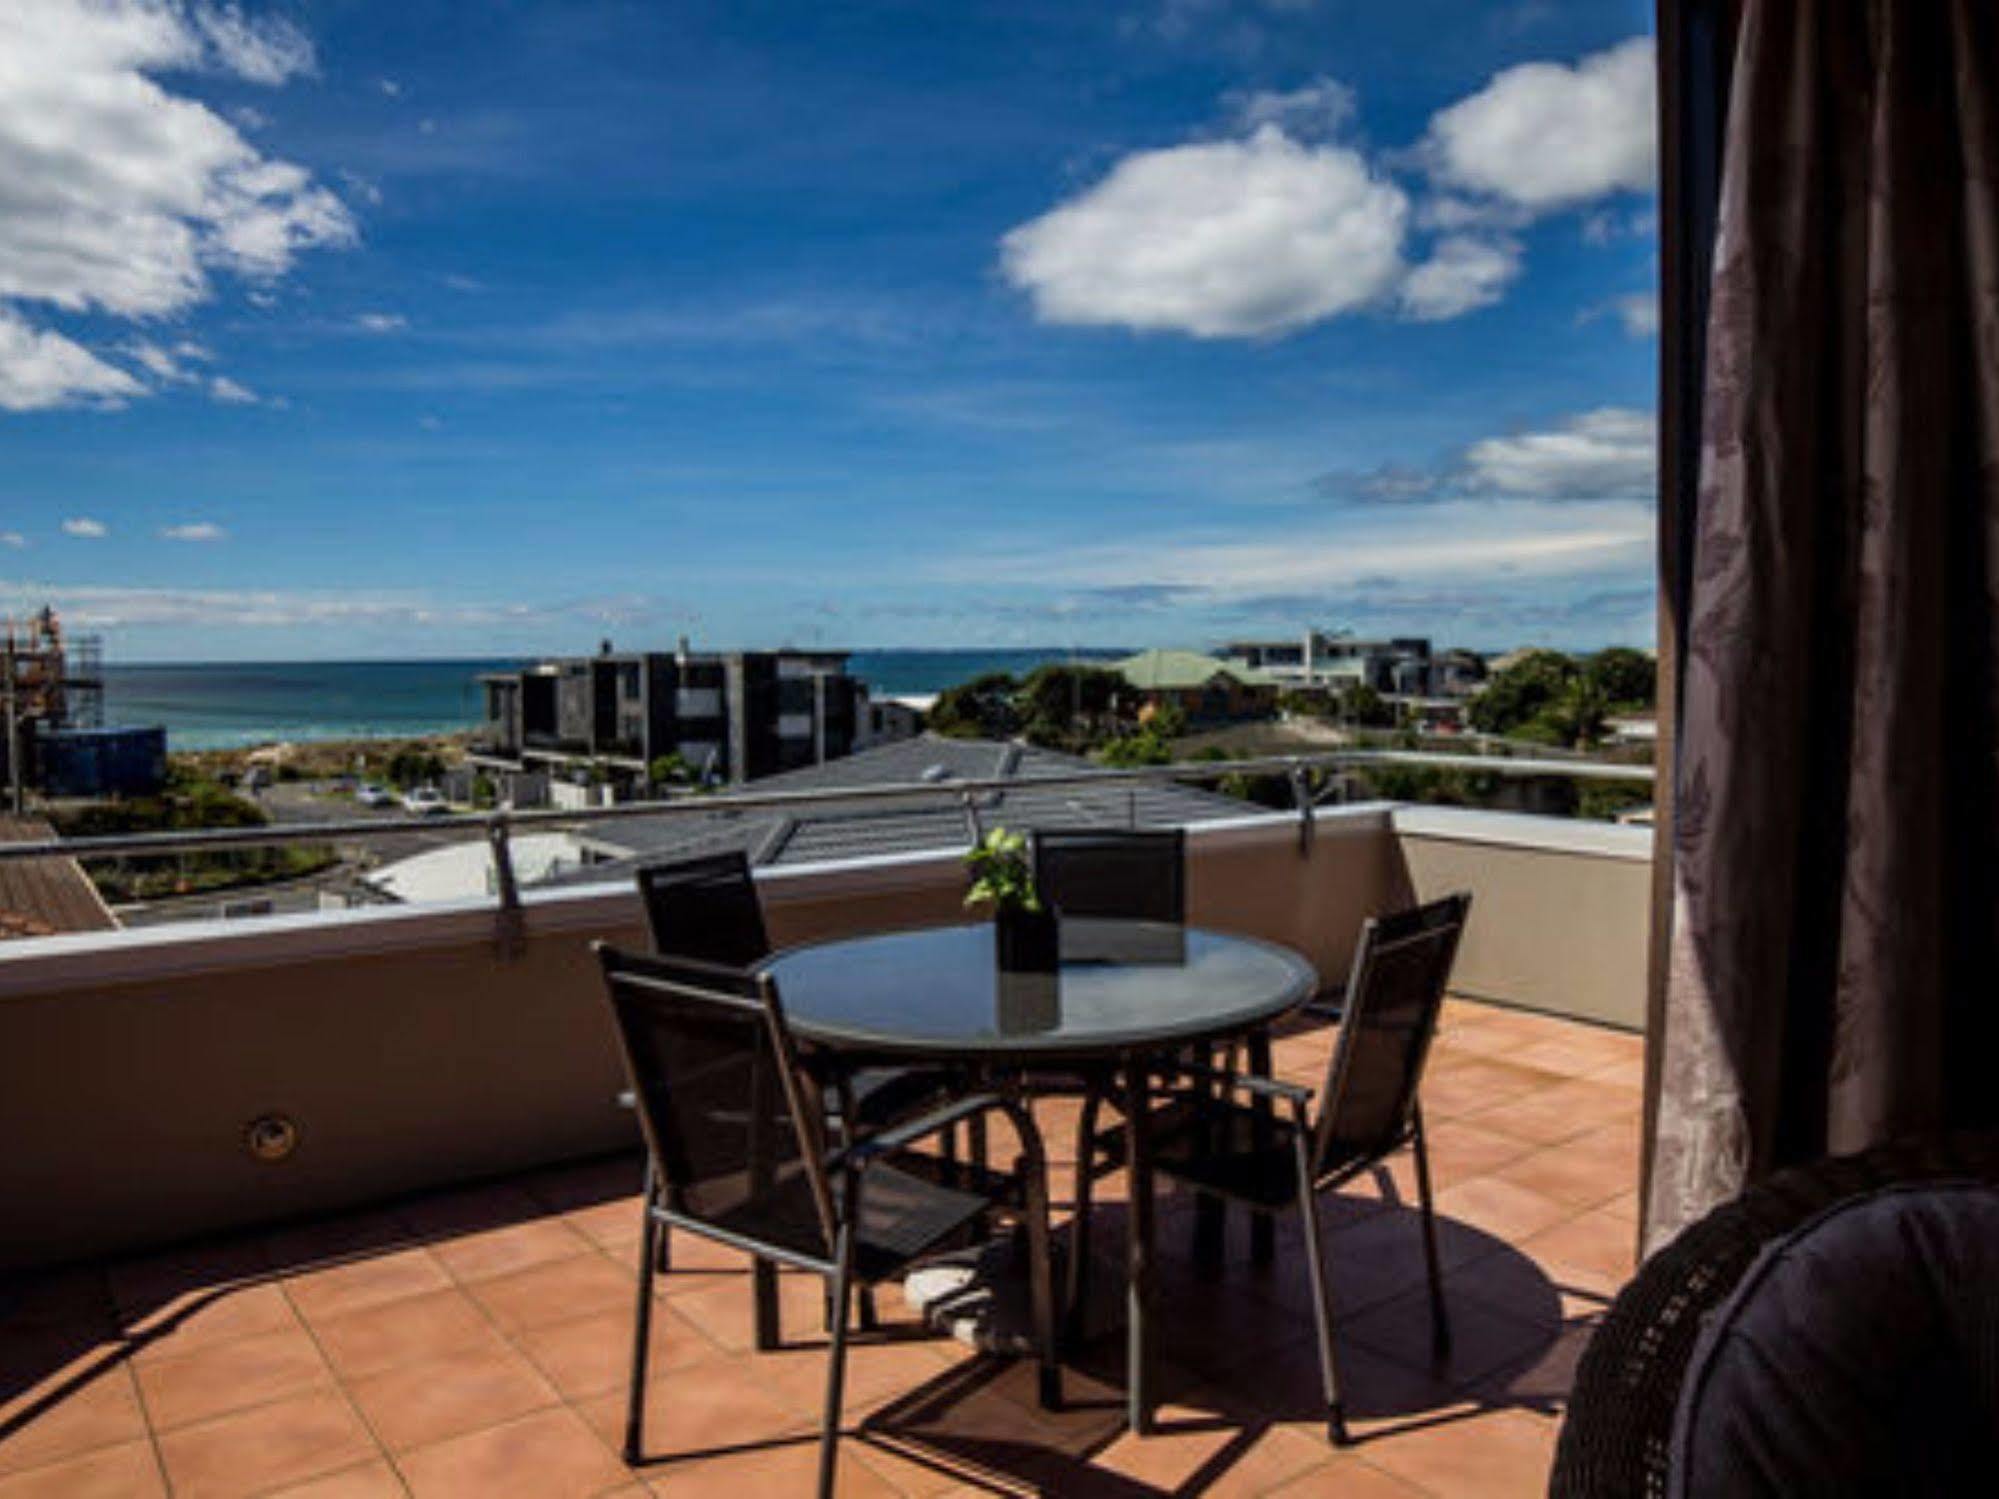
(741, 1148)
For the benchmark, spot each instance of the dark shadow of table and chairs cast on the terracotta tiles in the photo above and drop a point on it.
(1214, 1324)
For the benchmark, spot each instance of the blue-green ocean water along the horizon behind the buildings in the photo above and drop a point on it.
(231, 705)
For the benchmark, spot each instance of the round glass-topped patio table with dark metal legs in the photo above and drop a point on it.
(1124, 996)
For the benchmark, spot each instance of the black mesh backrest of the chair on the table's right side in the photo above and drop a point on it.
(1400, 974)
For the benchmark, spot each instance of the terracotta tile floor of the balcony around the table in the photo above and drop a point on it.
(475, 1342)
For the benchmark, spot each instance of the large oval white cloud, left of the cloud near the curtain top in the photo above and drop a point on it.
(1234, 239)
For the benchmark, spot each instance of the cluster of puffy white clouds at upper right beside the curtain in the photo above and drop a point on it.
(1280, 227)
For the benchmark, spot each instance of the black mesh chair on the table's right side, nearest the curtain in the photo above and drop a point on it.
(1234, 1150)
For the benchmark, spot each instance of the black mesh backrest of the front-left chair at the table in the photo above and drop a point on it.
(735, 1128)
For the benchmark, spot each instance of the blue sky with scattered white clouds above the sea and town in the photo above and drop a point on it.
(347, 329)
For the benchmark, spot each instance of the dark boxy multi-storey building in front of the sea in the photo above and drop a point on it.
(727, 717)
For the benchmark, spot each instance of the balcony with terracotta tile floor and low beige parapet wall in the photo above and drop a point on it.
(433, 1292)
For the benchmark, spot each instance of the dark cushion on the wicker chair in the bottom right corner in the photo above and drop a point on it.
(1858, 1356)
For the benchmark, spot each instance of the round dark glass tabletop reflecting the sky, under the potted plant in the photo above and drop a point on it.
(1122, 984)
